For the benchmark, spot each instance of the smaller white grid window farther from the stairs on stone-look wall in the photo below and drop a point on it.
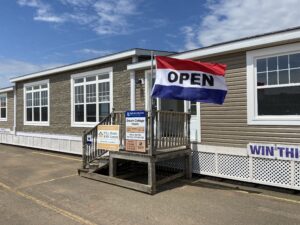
(37, 103)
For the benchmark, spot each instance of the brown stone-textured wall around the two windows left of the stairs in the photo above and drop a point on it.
(60, 99)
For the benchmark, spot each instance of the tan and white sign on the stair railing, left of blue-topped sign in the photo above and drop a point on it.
(108, 137)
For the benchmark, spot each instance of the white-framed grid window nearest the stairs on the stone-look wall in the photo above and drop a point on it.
(92, 97)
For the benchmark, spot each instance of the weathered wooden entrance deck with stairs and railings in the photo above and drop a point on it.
(167, 140)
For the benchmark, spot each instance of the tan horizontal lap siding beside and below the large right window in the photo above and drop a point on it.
(226, 125)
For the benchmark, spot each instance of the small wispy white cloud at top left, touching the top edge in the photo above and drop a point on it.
(43, 11)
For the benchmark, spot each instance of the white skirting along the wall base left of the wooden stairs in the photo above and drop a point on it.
(59, 143)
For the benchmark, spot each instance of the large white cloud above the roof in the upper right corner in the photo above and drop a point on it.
(232, 19)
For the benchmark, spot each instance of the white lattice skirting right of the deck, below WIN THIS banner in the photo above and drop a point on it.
(236, 164)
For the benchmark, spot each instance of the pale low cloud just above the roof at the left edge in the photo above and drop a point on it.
(11, 67)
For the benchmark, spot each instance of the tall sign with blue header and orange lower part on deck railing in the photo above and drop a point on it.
(136, 131)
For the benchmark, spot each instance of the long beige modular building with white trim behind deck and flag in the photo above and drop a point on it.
(254, 136)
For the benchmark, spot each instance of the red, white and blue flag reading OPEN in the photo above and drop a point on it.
(189, 80)
